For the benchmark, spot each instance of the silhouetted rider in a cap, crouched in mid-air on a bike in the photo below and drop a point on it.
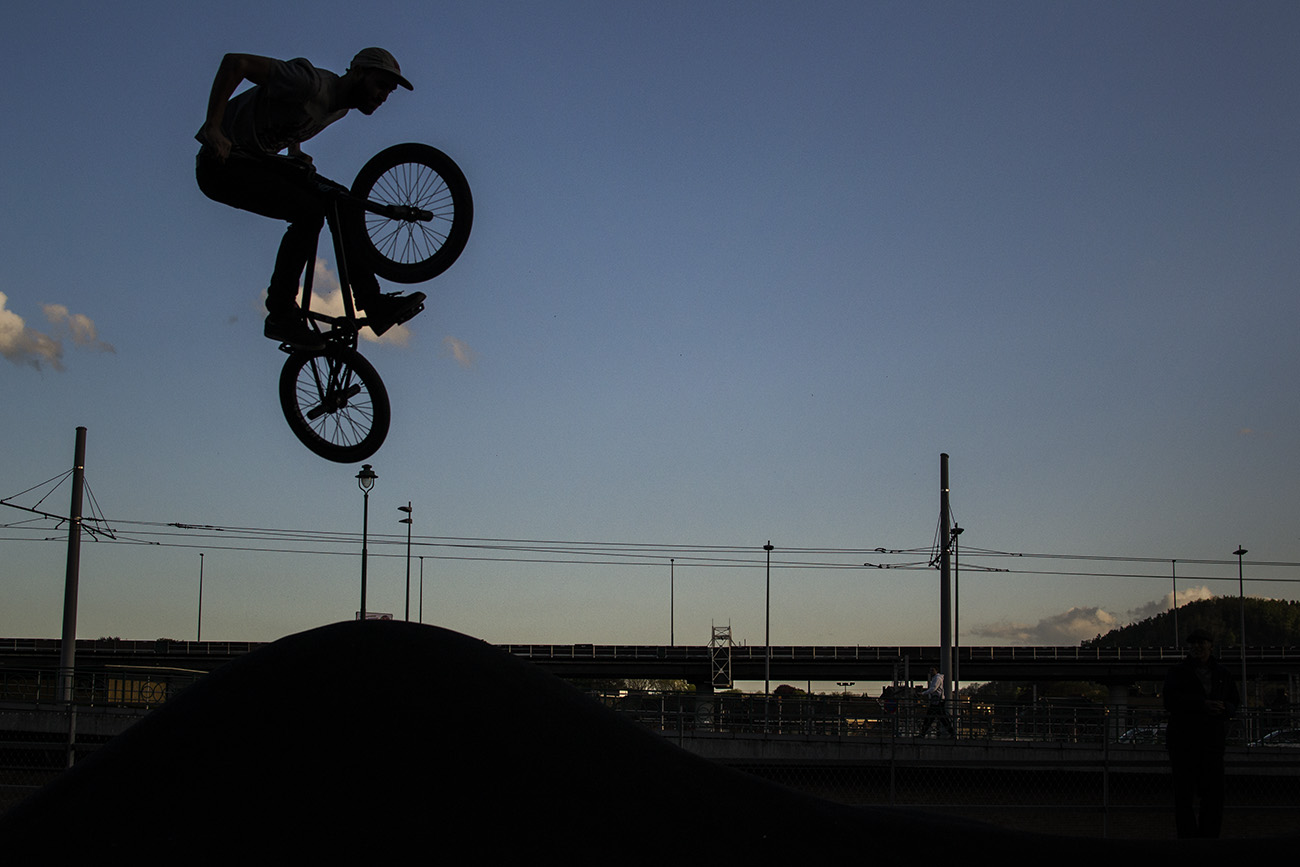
(292, 102)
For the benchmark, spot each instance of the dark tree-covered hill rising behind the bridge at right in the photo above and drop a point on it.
(1268, 623)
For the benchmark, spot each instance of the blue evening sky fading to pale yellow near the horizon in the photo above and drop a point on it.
(739, 272)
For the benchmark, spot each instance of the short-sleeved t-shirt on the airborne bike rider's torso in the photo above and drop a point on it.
(296, 103)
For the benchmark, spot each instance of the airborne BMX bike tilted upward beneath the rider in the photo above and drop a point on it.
(409, 216)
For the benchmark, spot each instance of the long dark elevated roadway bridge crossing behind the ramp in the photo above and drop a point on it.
(699, 664)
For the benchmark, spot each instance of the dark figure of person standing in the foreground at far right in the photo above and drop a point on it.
(1201, 696)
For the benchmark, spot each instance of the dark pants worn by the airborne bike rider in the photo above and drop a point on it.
(283, 192)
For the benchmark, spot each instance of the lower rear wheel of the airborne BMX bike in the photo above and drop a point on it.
(336, 404)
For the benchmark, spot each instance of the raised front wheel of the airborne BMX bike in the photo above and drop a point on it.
(424, 177)
